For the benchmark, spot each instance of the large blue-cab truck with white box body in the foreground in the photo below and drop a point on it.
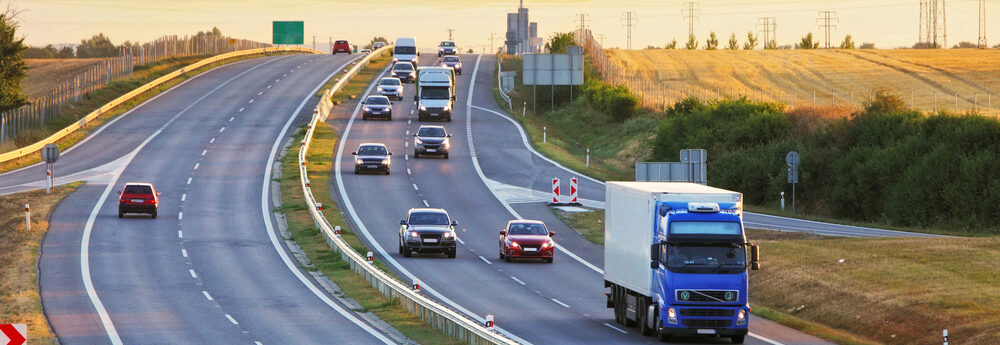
(676, 259)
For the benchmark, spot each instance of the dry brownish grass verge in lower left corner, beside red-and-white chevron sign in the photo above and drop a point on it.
(20, 301)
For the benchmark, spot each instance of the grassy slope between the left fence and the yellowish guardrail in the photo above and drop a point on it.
(98, 98)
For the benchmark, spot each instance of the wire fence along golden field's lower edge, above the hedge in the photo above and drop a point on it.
(655, 95)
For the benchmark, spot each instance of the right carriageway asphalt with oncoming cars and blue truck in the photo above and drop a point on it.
(542, 303)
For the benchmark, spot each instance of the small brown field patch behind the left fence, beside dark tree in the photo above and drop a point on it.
(45, 74)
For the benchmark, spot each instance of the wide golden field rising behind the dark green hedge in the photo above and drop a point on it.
(792, 76)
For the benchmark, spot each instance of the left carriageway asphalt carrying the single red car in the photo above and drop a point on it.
(210, 269)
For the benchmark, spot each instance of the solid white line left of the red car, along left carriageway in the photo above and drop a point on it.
(88, 229)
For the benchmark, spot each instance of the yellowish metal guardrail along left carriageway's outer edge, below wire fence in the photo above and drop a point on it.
(82, 123)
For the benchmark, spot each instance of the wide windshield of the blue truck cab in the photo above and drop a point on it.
(700, 255)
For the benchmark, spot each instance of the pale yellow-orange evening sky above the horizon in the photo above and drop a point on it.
(887, 23)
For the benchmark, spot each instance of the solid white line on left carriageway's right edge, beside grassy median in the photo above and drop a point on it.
(266, 213)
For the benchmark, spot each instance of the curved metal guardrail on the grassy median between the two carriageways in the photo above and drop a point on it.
(430, 311)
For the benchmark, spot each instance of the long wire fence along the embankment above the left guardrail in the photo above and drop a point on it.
(39, 111)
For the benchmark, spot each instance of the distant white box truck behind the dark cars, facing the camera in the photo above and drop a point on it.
(435, 93)
